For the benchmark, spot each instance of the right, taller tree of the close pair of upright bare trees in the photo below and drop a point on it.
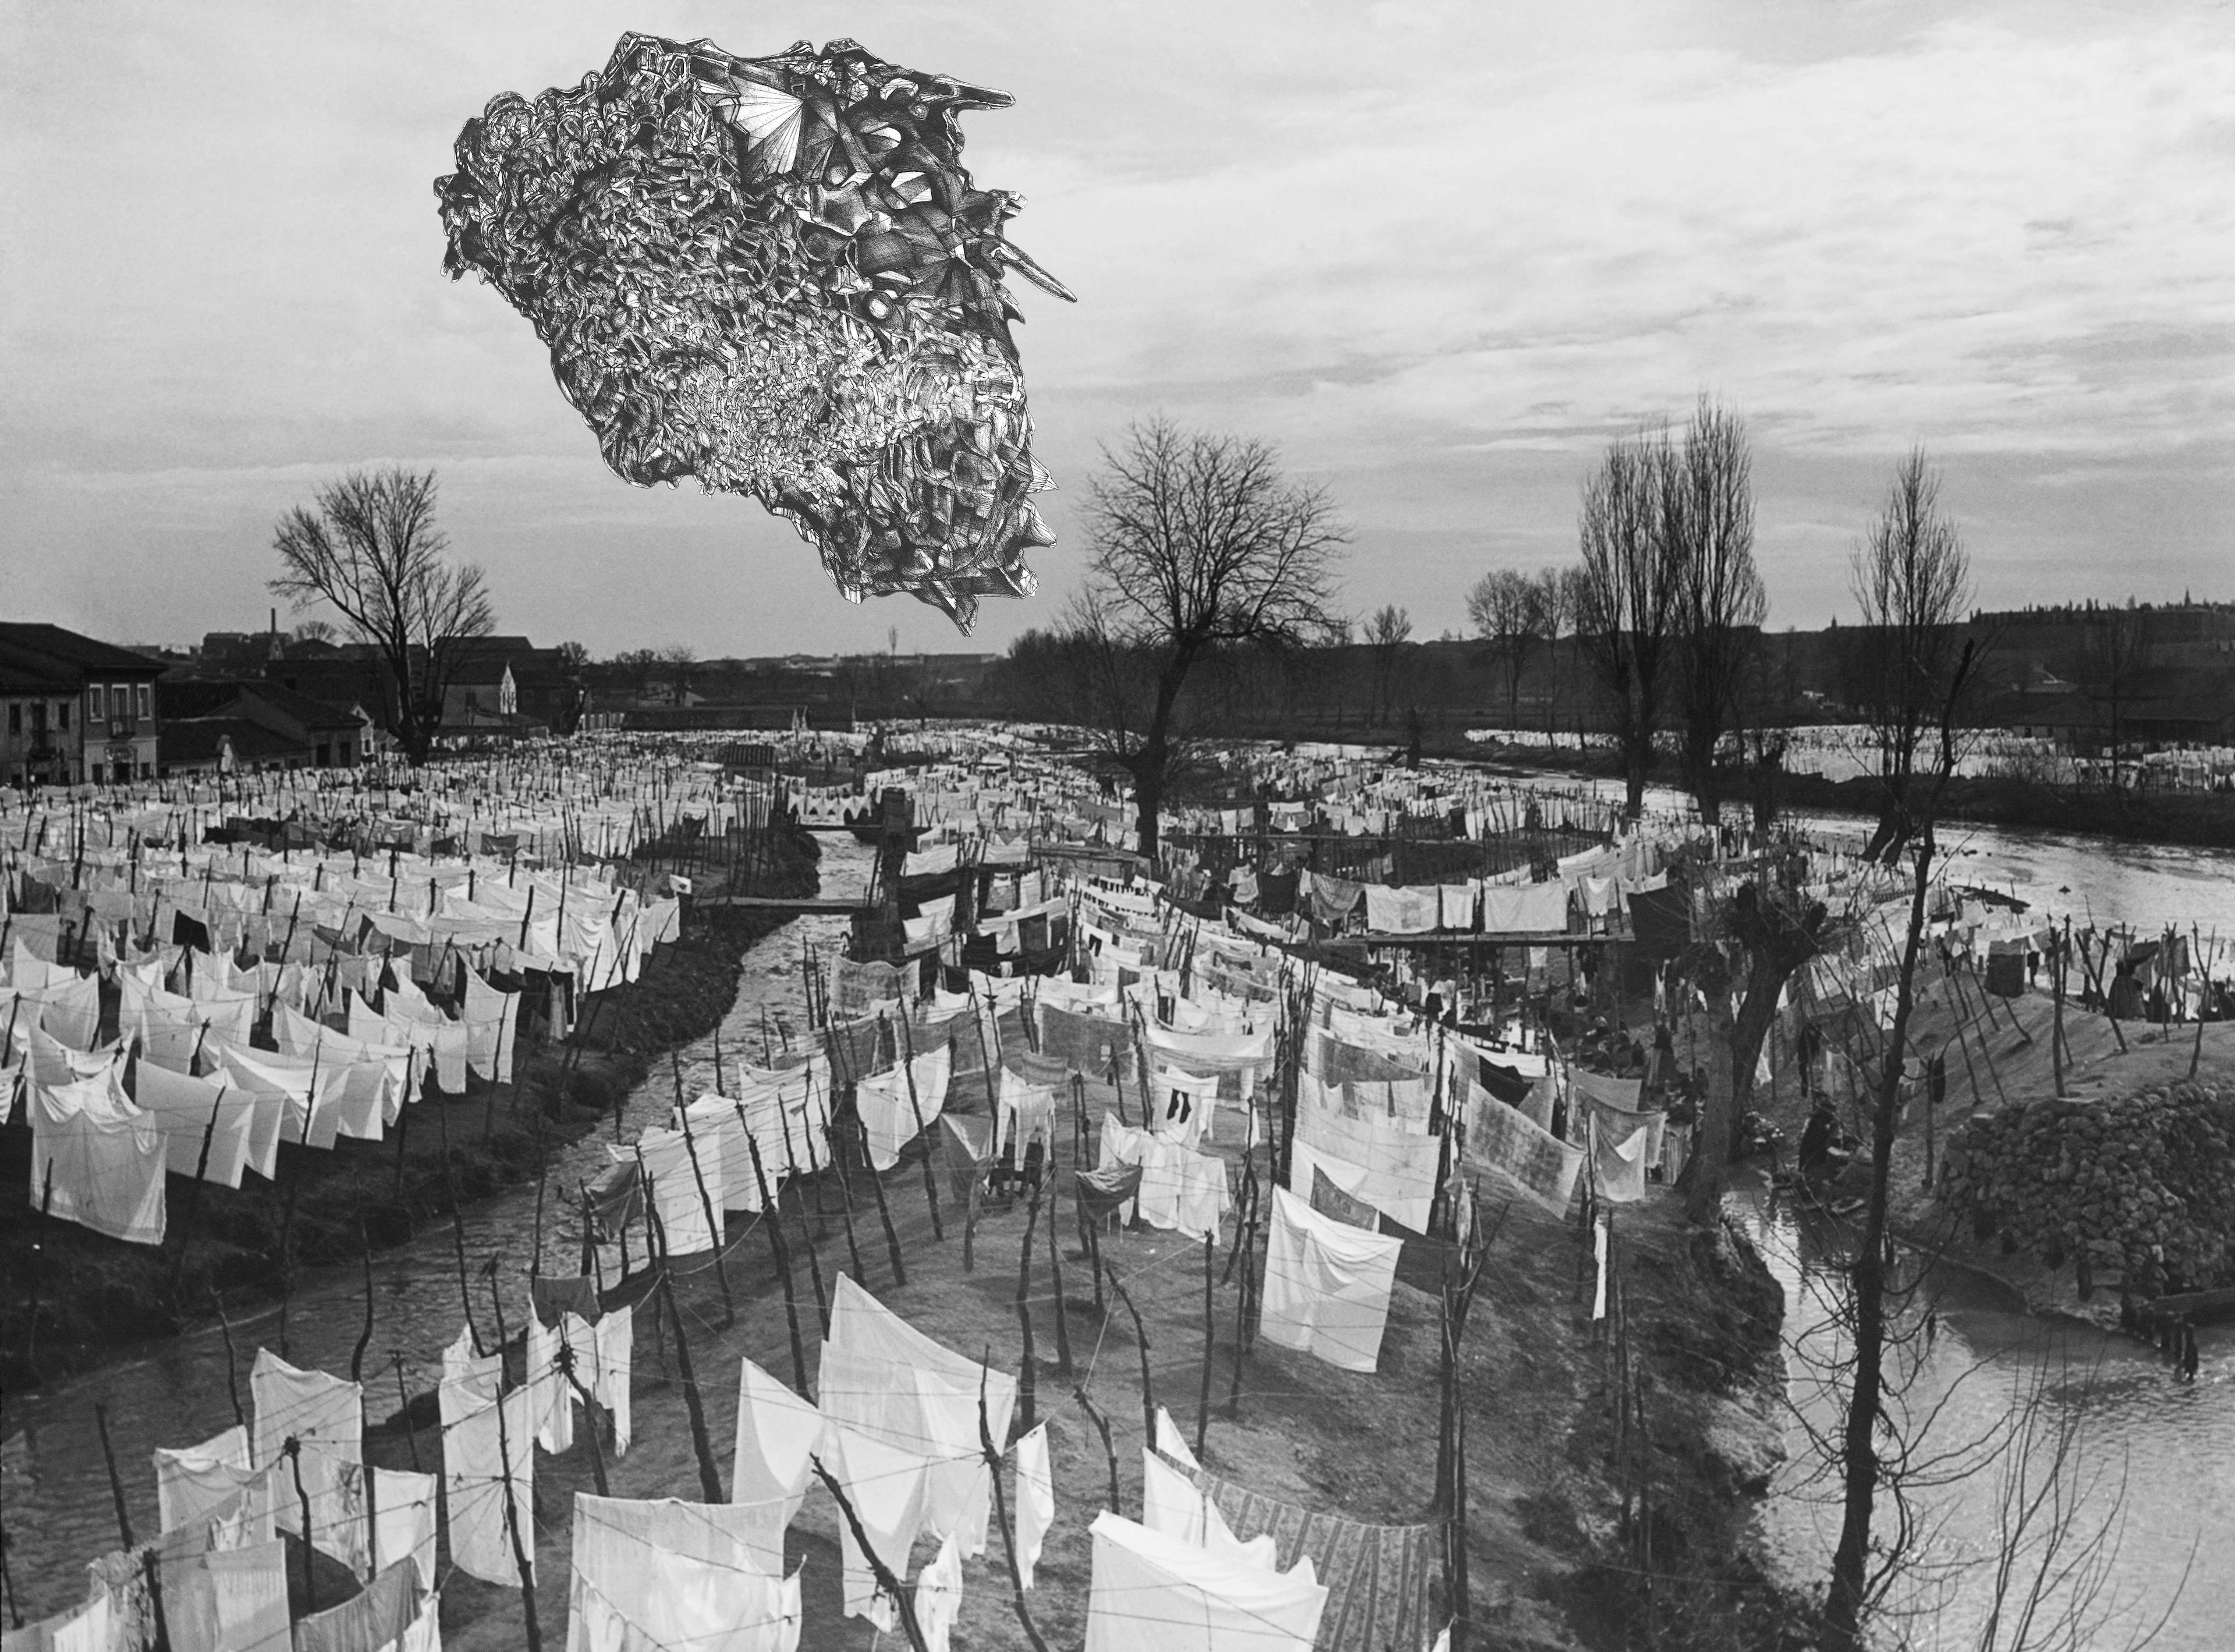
(1709, 518)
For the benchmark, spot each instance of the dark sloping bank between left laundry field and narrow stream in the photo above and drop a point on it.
(97, 1295)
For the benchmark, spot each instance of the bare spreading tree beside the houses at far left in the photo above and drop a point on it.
(372, 553)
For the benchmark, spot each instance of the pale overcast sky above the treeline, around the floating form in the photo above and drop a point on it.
(1438, 254)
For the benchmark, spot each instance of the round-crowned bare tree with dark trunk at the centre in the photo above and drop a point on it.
(1199, 544)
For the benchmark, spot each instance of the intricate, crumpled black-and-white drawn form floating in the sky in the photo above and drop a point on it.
(777, 276)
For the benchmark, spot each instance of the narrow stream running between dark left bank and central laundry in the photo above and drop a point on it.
(55, 1494)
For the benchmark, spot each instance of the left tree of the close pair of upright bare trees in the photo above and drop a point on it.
(1628, 594)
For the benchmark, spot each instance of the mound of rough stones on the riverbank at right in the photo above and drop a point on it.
(2142, 1186)
